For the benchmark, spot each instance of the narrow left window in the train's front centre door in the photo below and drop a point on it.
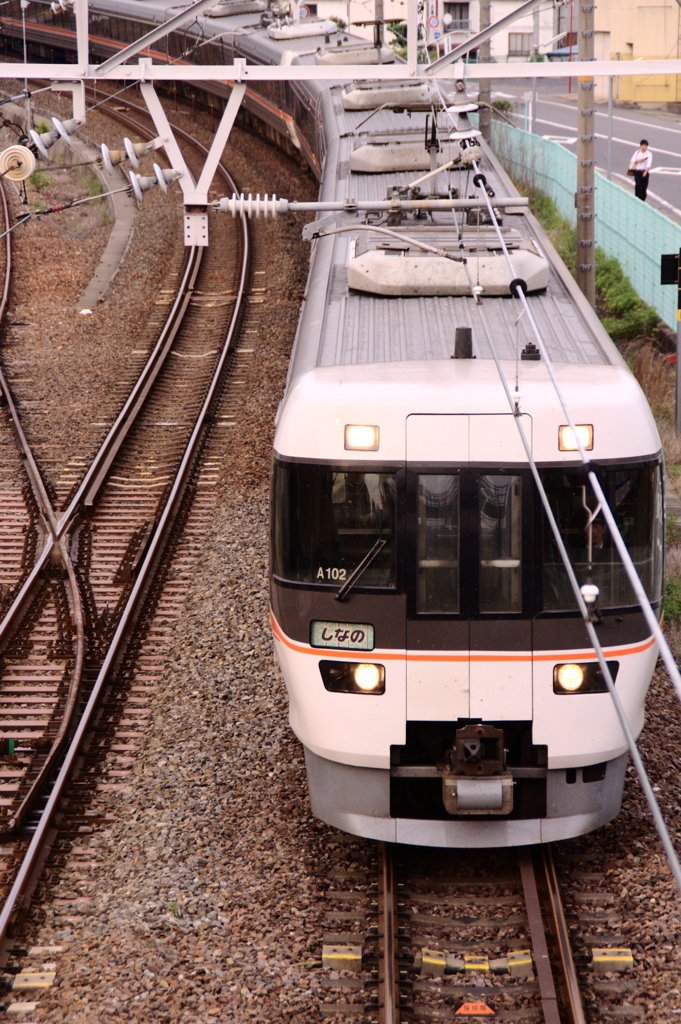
(438, 544)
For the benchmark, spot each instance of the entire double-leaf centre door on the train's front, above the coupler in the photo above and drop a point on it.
(469, 634)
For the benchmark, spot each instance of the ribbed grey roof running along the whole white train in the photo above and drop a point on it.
(345, 324)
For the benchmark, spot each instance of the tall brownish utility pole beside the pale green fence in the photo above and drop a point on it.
(585, 199)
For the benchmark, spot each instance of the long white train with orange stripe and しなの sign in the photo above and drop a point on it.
(440, 674)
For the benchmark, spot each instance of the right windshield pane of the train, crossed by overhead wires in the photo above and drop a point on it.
(634, 495)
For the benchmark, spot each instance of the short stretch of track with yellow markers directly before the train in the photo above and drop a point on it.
(437, 937)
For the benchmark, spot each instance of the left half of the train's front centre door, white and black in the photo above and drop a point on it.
(438, 634)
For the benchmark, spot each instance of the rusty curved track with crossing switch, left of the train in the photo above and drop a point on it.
(72, 616)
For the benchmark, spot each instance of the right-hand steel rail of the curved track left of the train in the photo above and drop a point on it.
(35, 856)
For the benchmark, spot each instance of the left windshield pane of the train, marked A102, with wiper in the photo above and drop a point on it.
(327, 522)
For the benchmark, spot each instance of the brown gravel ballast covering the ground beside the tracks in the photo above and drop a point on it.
(207, 903)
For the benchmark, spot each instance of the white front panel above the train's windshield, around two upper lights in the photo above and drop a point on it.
(474, 422)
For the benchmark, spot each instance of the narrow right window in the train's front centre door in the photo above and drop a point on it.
(500, 507)
